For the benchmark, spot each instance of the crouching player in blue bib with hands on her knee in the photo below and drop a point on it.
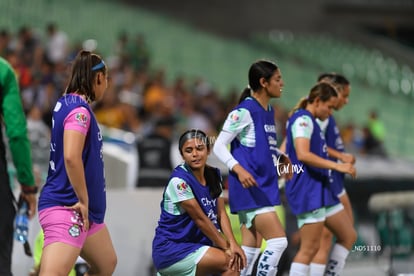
(194, 235)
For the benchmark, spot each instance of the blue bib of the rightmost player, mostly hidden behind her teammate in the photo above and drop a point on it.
(334, 140)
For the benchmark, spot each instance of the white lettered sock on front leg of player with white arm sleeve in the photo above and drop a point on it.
(269, 260)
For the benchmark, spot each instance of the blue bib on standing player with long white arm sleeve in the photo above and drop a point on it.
(260, 160)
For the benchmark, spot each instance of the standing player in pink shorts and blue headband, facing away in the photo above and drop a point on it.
(72, 202)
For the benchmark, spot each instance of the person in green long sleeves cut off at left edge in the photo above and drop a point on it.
(14, 122)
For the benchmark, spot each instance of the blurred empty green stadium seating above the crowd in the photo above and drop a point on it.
(378, 81)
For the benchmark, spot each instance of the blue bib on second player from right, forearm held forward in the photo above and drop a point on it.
(309, 188)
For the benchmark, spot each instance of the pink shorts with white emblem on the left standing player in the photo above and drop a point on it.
(61, 224)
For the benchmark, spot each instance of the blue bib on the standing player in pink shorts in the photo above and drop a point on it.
(58, 190)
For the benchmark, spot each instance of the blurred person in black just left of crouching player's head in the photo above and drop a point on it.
(154, 153)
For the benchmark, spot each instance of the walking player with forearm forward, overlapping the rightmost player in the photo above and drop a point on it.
(309, 191)
